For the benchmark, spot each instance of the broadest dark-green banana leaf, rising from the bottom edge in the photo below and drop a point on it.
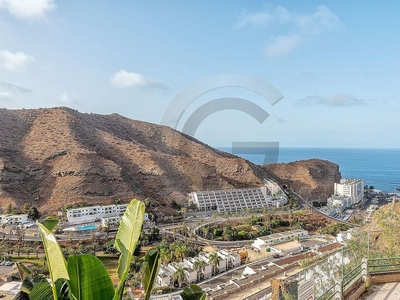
(88, 278)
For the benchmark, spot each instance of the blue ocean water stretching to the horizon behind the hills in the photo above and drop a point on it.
(377, 167)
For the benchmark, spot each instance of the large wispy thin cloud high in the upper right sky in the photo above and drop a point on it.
(292, 28)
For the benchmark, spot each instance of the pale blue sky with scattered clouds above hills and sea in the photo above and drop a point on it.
(335, 63)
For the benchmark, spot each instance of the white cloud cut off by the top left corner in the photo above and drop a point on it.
(28, 9)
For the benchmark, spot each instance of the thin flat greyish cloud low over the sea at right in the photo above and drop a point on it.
(335, 100)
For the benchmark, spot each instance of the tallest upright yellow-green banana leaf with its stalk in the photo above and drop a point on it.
(126, 240)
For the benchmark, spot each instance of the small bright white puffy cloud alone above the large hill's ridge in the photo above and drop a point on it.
(123, 78)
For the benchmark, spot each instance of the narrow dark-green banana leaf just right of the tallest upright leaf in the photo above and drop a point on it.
(153, 263)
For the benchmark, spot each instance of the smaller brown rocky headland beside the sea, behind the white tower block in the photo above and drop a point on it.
(312, 179)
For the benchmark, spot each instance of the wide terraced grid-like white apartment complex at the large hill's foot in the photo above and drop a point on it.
(239, 199)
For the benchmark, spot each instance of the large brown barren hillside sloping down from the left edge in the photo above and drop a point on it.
(52, 157)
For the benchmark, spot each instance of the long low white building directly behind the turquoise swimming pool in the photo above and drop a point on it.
(94, 213)
